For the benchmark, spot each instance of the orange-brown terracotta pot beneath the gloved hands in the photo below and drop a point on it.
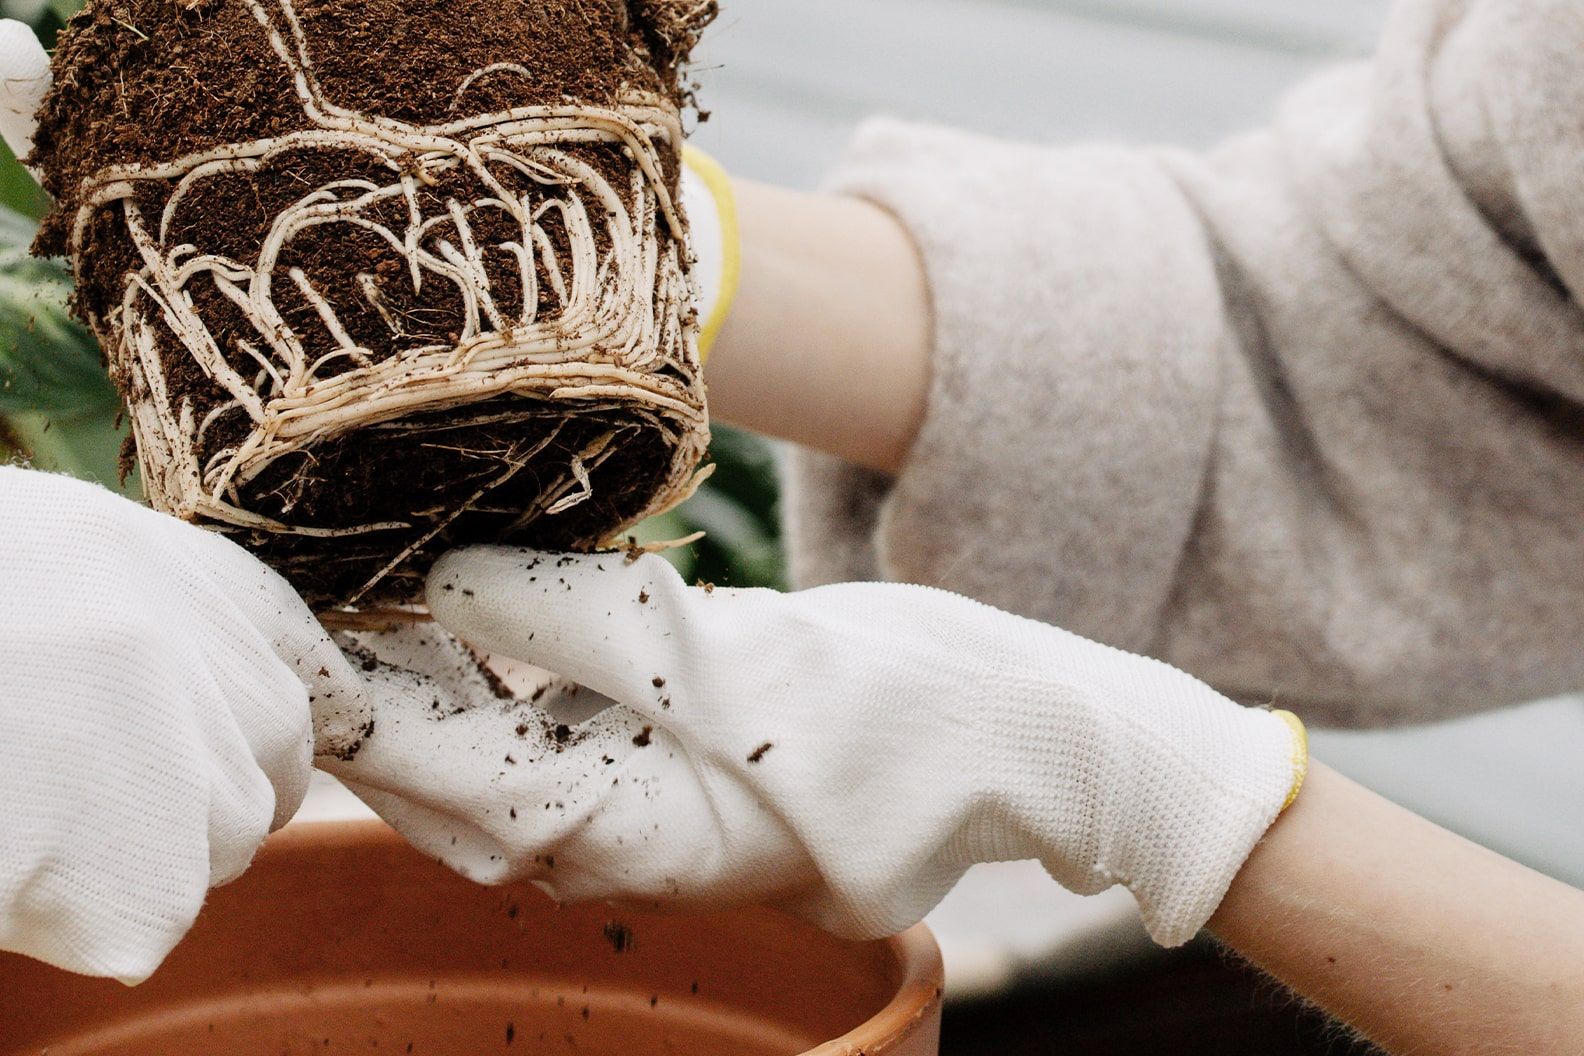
(343, 940)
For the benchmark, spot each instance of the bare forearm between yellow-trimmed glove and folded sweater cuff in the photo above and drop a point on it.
(829, 341)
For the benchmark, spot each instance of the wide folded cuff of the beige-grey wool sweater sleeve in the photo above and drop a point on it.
(1078, 330)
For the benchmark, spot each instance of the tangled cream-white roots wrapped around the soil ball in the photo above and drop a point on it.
(623, 317)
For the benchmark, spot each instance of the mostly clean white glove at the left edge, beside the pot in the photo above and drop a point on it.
(154, 721)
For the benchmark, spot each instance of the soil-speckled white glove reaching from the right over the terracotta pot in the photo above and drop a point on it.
(847, 753)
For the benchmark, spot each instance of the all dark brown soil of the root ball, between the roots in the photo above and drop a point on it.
(147, 82)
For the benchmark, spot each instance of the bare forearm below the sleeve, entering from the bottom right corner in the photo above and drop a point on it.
(1414, 936)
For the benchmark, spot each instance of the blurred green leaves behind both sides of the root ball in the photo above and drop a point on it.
(61, 412)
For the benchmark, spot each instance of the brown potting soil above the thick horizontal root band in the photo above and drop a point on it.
(154, 80)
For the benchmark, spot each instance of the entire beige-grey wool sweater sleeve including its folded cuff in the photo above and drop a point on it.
(1303, 416)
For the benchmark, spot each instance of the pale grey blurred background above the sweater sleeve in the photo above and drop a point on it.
(788, 82)
